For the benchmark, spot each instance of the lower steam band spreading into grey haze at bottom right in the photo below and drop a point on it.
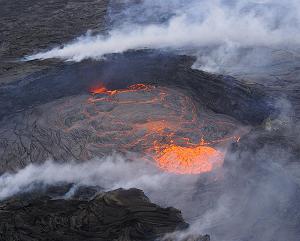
(261, 200)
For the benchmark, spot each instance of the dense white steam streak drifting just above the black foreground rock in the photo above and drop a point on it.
(110, 172)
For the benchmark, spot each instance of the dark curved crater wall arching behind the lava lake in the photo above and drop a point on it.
(247, 103)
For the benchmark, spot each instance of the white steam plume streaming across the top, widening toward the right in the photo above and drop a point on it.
(193, 26)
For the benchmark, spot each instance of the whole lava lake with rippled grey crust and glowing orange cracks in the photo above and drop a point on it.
(161, 123)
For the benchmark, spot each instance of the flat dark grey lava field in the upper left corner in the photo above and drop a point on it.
(32, 25)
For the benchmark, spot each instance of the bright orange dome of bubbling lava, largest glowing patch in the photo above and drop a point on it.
(189, 160)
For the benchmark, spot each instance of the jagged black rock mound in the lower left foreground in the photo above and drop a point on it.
(116, 215)
